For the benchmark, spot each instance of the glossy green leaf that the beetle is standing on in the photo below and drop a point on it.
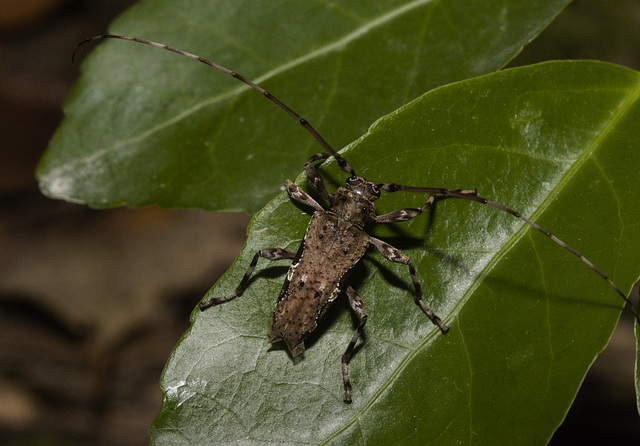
(557, 142)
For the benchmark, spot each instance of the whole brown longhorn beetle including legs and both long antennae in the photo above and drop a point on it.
(336, 240)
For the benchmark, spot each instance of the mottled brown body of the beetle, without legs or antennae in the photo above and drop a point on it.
(334, 242)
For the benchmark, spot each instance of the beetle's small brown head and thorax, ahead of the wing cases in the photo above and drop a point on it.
(353, 203)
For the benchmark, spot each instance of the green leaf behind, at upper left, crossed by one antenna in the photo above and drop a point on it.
(144, 126)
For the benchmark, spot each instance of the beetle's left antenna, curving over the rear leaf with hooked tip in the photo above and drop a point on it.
(344, 164)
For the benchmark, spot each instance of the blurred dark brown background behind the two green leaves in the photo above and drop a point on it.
(92, 302)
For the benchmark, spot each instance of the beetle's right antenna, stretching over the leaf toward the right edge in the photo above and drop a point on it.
(470, 195)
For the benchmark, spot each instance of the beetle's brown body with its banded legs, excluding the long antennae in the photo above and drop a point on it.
(334, 242)
